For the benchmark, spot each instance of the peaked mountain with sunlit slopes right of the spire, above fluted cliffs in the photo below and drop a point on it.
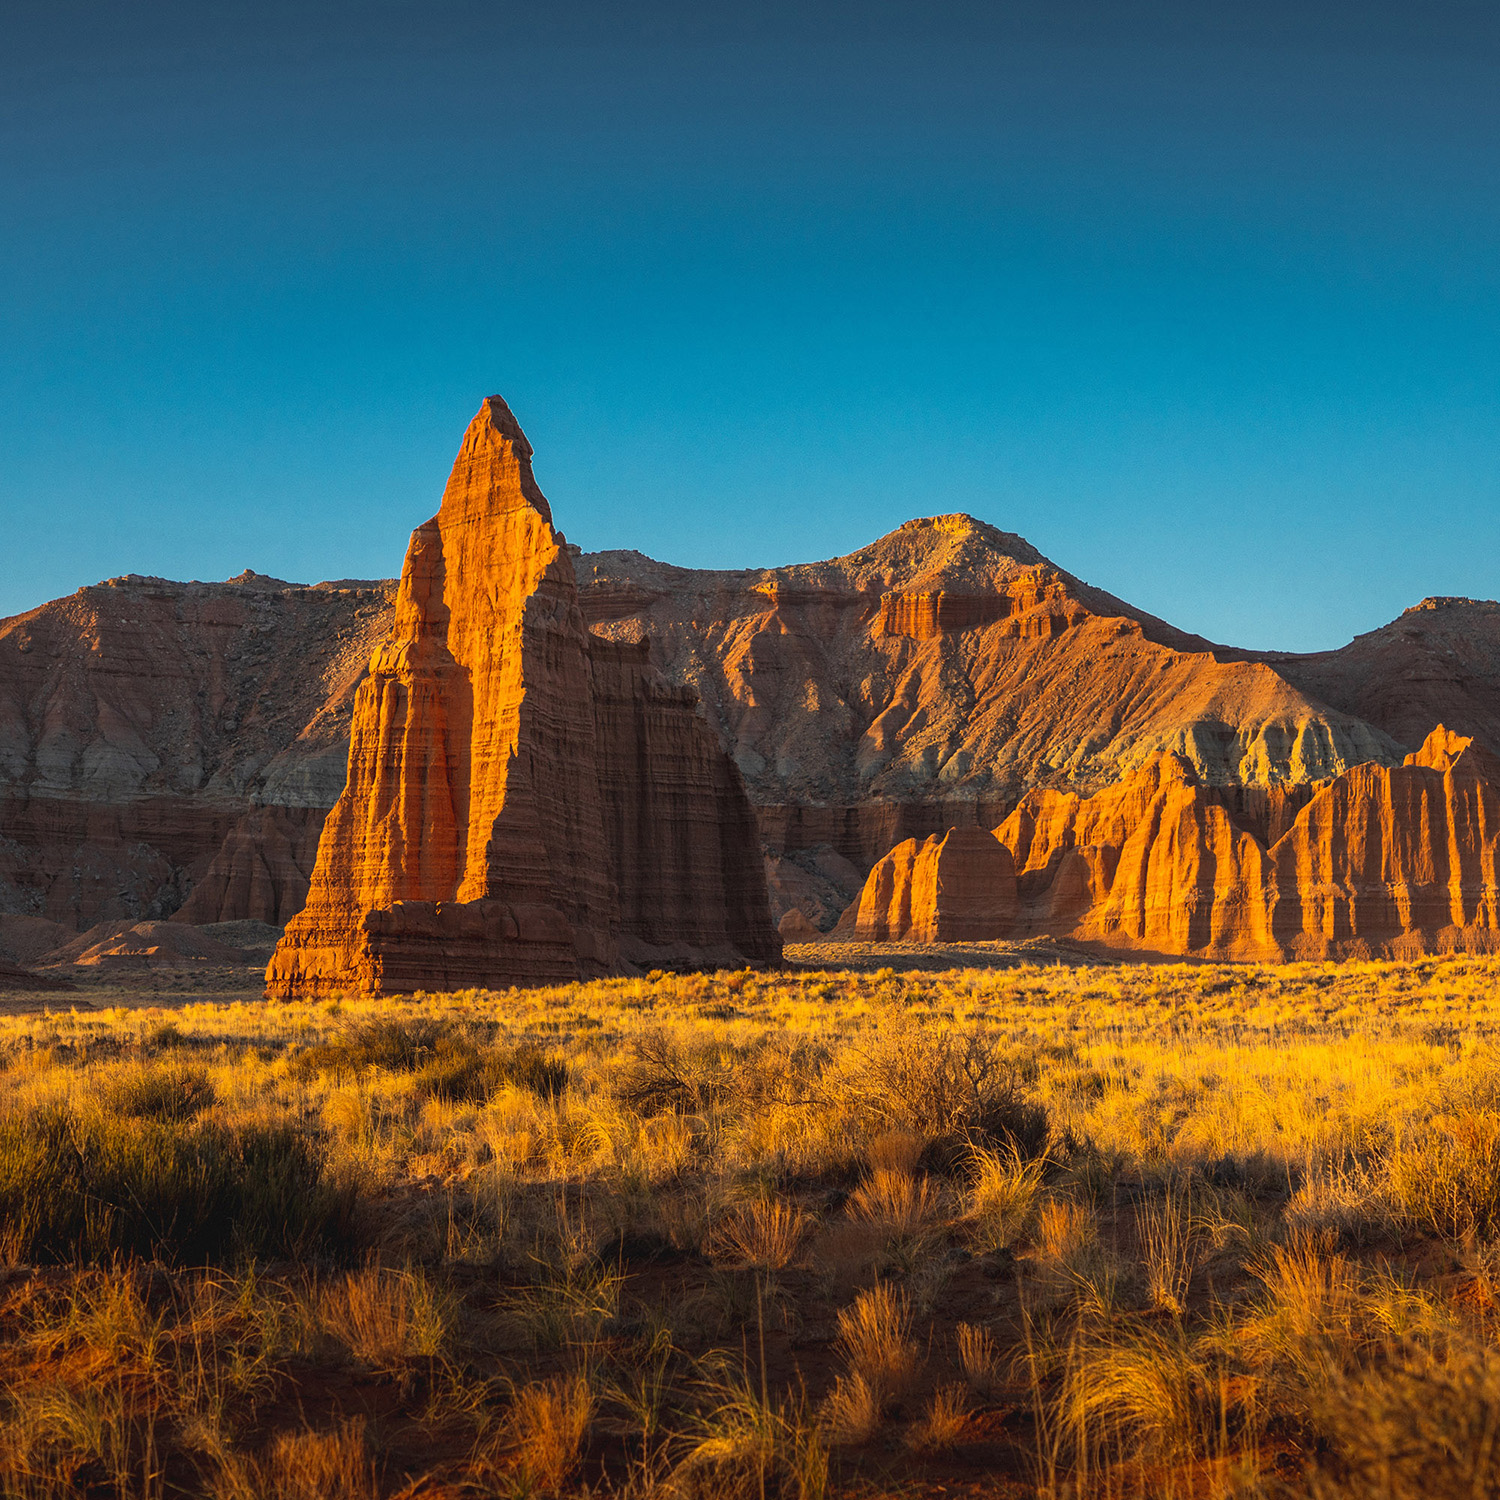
(950, 664)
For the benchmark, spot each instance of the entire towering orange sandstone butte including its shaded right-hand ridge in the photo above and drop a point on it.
(524, 803)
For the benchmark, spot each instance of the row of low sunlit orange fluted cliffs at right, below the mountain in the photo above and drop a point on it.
(1381, 862)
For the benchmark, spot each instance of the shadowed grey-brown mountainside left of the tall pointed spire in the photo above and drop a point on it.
(142, 721)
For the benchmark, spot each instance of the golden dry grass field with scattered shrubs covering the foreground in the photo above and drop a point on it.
(1036, 1231)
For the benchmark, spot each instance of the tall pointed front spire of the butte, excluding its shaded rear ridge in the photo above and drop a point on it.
(470, 844)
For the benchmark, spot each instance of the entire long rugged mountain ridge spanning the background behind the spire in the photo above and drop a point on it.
(170, 749)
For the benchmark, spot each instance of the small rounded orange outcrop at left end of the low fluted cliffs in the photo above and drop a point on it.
(959, 887)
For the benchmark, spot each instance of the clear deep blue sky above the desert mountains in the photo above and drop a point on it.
(1202, 299)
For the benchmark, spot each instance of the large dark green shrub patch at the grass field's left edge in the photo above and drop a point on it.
(88, 1187)
